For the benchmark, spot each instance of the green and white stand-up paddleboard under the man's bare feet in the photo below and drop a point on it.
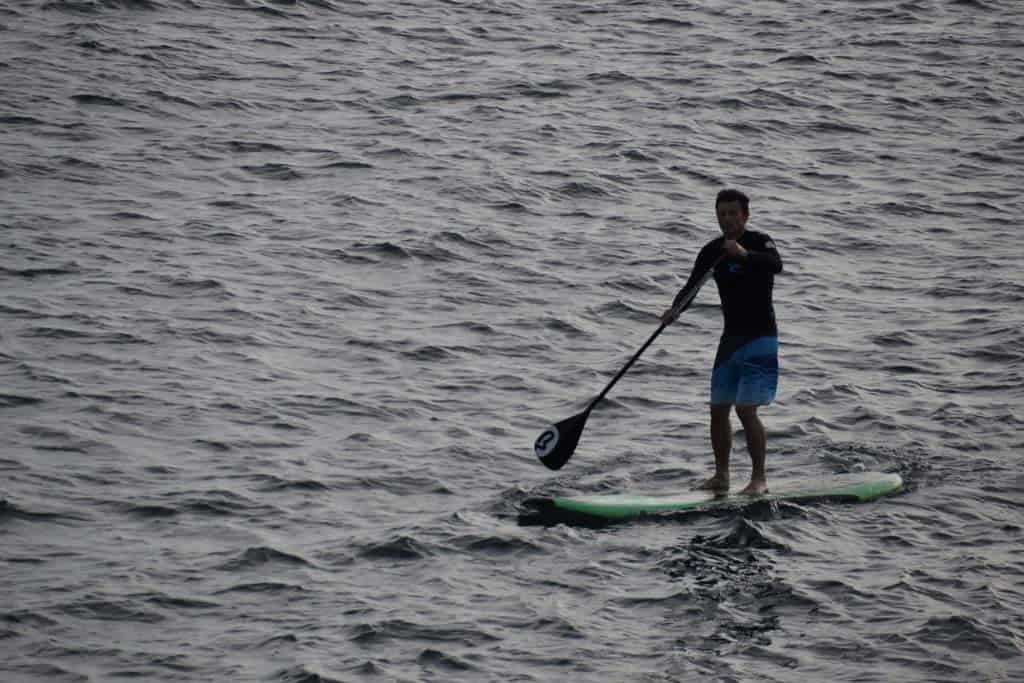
(857, 488)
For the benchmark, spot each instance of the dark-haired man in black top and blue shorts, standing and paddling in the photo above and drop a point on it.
(746, 373)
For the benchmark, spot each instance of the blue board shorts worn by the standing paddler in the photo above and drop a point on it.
(747, 376)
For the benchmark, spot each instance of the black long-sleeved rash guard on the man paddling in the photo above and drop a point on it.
(745, 287)
